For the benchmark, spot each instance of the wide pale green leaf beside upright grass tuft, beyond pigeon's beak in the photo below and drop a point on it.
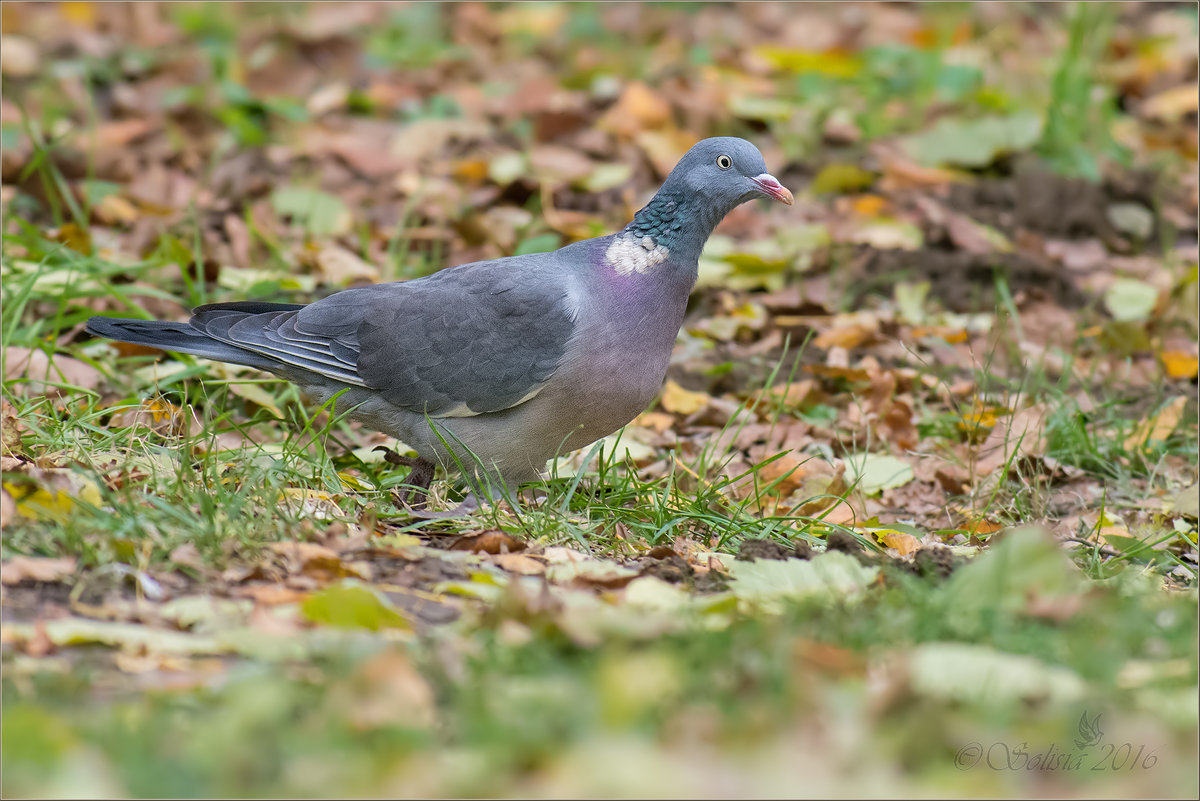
(974, 143)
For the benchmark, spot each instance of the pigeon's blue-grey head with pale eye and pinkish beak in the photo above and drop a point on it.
(727, 172)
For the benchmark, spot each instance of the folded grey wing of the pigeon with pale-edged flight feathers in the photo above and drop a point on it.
(466, 341)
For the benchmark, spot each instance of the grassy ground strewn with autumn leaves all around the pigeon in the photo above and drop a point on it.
(915, 513)
